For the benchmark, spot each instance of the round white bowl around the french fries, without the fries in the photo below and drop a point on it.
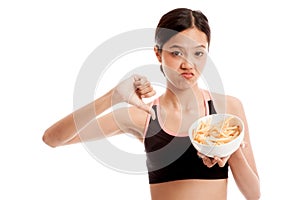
(220, 150)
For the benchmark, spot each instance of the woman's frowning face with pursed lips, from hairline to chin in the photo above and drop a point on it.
(183, 57)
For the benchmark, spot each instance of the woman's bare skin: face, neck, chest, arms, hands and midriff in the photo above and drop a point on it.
(182, 61)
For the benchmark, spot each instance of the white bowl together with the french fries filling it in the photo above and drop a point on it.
(217, 134)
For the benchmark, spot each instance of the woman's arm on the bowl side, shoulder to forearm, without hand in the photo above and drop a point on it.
(241, 162)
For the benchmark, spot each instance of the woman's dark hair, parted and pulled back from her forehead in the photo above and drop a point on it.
(178, 20)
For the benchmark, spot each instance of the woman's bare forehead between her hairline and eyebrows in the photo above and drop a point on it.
(189, 38)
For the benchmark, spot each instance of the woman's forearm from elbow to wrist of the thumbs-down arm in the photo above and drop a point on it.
(66, 129)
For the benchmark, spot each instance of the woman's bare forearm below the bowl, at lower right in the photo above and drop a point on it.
(245, 177)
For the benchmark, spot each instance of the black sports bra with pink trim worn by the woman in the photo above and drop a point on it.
(171, 158)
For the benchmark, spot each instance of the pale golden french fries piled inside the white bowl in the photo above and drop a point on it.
(216, 134)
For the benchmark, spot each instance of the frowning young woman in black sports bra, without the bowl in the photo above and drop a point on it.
(176, 170)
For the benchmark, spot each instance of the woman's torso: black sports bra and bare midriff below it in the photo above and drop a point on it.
(174, 174)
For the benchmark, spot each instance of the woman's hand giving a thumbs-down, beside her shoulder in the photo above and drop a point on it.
(132, 90)
